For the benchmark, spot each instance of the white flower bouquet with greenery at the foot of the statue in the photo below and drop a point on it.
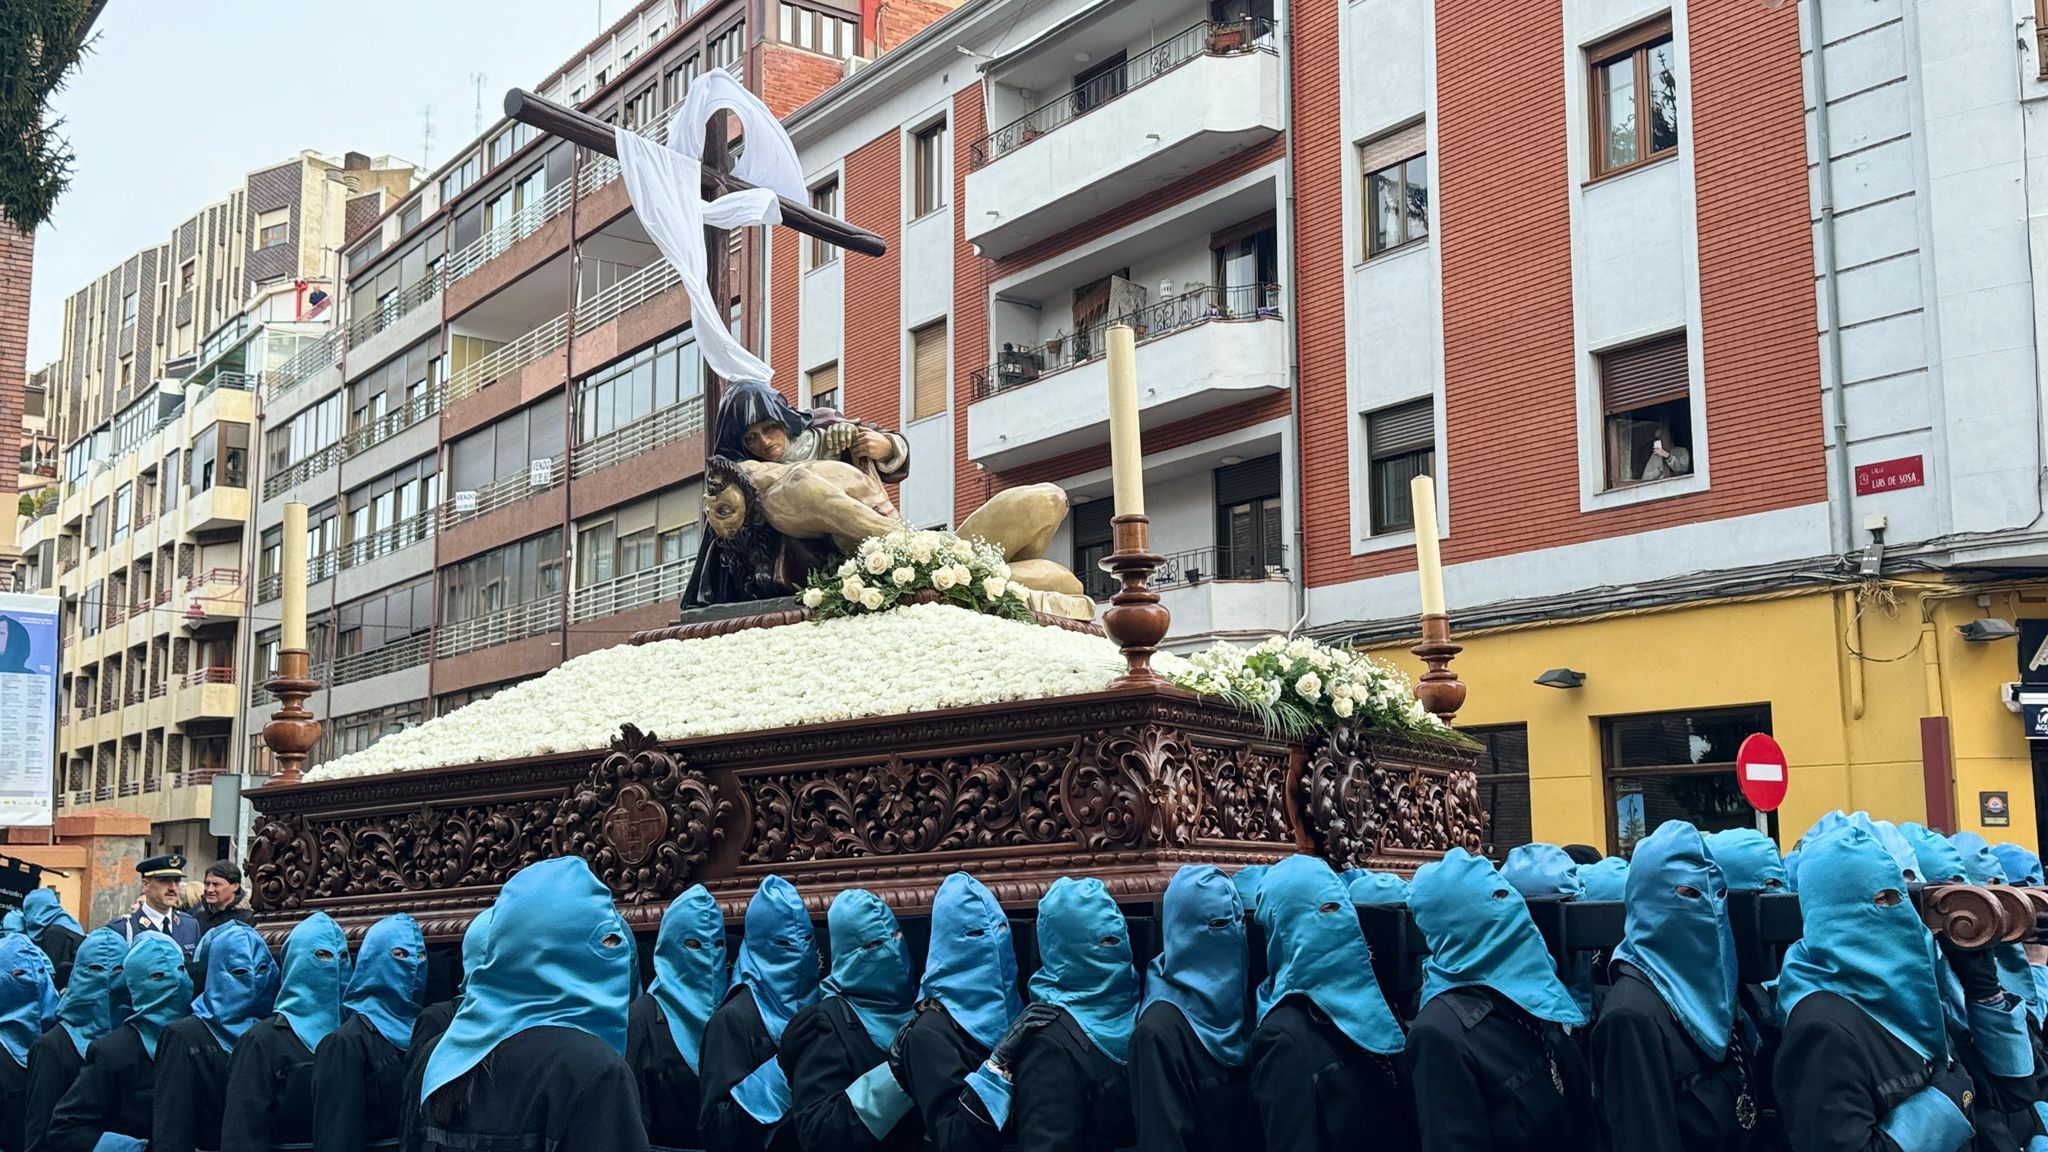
(916, 567)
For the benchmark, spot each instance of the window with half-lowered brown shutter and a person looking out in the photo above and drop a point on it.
(1646, 405)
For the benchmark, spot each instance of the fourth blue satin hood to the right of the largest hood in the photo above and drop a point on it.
(972, 966)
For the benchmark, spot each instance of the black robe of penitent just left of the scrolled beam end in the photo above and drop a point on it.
(1840, 1075)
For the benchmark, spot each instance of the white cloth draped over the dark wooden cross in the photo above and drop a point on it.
(669, 194)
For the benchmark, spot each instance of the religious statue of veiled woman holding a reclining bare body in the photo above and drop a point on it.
(792, 491)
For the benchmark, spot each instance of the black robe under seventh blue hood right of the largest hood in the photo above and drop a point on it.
(1318, 1092)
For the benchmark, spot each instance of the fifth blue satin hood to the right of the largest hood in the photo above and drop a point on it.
(1084, 962)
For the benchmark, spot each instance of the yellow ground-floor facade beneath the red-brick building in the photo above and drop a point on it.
(1842, 677)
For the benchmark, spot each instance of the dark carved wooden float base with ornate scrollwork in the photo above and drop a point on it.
(1125, 786)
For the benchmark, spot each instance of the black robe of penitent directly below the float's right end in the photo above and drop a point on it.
(1484, 1077)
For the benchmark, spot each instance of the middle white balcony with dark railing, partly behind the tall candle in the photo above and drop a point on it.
(1197, 354)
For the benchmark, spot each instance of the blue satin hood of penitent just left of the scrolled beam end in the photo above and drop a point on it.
(1865, 942)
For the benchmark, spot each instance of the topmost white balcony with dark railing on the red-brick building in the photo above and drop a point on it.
(1179, 108)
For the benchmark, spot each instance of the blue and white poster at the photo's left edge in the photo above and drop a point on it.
(28, 708)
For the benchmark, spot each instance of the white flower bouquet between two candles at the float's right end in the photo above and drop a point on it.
(1302, 688)
